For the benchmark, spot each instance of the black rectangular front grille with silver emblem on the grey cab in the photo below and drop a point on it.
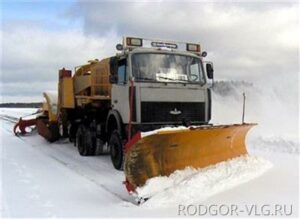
(160, 111)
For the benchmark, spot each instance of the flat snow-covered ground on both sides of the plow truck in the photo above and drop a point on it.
(42, 179)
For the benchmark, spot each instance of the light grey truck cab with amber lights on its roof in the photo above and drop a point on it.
(157, 84)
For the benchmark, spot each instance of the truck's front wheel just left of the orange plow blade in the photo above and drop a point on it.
(116, 150)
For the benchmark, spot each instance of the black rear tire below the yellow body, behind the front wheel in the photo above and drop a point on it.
(84, 141)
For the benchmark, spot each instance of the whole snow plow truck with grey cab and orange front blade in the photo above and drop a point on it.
(122, 105)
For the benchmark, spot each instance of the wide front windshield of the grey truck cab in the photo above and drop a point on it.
(167, 68)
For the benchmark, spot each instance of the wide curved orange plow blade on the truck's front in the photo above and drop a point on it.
(164, 152)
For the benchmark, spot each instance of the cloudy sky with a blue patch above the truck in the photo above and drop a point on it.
(254, 41)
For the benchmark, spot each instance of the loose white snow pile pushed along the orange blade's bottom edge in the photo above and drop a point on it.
(194, 185)
